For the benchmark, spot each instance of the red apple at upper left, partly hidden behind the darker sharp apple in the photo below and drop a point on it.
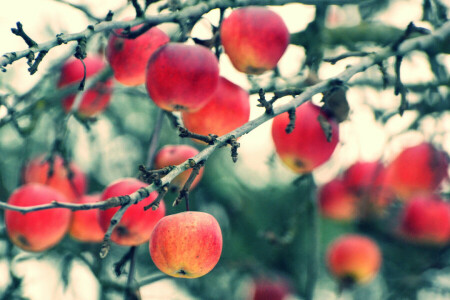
(128, 57)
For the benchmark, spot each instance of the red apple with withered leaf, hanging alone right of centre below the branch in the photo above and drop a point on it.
(306, 147)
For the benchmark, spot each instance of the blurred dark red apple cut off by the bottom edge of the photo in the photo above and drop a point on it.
(269, 289)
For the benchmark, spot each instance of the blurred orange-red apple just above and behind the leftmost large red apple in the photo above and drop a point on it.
(37, 171)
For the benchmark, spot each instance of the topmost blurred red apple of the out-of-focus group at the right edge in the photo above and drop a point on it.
(417, 169)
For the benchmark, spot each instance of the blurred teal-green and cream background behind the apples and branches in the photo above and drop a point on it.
(270, 228)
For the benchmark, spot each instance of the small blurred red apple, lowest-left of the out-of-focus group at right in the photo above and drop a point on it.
(337, 202)
